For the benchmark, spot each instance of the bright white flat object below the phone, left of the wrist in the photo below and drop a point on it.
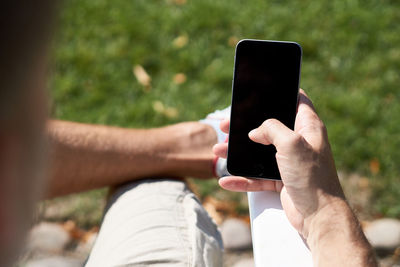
(275, 242)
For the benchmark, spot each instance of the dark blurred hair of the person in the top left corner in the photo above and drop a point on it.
(25, 30)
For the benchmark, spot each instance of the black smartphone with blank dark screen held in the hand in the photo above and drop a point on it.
(265, 85)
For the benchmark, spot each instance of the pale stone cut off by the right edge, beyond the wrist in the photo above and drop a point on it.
(383, 233)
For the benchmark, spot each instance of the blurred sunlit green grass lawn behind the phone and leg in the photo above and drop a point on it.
(350, 68)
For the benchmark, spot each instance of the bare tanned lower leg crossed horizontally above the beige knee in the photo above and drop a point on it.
(87, 156)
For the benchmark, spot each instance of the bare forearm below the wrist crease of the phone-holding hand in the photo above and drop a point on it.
(336, 238)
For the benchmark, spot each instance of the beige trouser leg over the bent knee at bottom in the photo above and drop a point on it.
(157, 223)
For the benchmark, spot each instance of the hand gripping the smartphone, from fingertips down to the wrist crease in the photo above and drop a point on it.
(305, 162)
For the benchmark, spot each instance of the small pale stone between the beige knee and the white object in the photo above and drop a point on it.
(236, 234)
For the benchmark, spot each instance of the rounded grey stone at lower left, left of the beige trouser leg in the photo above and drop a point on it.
(49, 237)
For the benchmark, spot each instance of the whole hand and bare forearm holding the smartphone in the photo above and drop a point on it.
(311, 194)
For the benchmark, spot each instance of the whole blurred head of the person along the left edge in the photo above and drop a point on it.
(24, 31)
